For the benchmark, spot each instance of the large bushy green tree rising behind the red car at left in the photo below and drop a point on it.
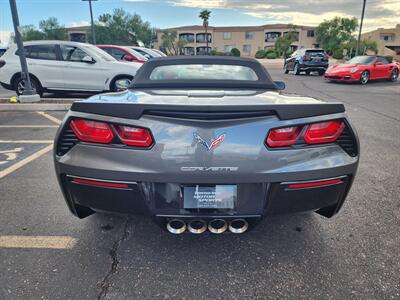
(122, 28)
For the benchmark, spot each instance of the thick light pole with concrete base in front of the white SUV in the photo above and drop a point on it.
(28, 93)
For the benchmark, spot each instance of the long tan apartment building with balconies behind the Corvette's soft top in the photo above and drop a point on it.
(248, 39)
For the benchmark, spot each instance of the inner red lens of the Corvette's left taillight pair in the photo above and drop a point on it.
(133, 136)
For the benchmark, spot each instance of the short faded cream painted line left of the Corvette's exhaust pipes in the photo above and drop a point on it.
(37, 242)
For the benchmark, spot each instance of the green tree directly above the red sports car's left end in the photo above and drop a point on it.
(332, 34)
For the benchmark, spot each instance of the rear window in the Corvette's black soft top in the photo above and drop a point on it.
(203, 72)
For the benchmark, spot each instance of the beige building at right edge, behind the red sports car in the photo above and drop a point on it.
(388, 40)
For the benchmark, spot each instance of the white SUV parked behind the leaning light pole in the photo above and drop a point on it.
(65, 66)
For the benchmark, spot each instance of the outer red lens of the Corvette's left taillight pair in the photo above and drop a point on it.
(92, 131)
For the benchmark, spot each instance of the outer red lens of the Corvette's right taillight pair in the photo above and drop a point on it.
(324, 132)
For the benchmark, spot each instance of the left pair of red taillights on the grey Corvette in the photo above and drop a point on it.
(104, 133)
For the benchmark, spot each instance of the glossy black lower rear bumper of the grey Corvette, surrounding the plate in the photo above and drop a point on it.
(166, 199)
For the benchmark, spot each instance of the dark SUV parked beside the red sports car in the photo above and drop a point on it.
(307, 60)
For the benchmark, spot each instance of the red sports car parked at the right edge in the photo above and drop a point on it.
(363, 69)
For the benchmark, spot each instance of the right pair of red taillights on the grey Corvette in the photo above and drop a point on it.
(316, 133)
